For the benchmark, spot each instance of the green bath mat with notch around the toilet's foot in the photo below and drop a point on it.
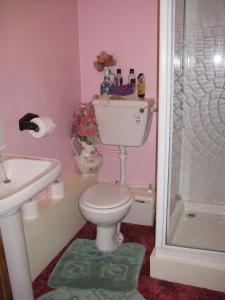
(83, 266)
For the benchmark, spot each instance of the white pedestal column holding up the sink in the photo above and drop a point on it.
(16, 255)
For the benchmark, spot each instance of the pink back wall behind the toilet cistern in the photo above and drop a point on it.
(128, 30)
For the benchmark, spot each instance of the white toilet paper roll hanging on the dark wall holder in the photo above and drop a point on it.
(46, 126)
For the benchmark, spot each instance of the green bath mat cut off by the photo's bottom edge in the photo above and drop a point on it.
(93, 294)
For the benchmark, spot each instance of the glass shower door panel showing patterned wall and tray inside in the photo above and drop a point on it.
(196, 187)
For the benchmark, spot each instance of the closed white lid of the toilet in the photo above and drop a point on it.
(106, 195)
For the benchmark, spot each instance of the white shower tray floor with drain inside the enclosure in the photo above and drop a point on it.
(197, 225)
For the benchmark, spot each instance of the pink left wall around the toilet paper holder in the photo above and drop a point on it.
(39, 73)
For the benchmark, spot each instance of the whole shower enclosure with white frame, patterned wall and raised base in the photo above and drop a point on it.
(190, 227)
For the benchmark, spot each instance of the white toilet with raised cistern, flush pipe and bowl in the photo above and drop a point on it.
(122, 123)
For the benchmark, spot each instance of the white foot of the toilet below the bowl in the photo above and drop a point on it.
(107, 238)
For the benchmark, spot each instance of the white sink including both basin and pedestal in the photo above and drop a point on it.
(27, 177)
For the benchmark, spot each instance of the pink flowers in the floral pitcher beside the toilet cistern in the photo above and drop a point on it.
(84, 124)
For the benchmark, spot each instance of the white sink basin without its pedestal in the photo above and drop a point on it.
(28, 176)
